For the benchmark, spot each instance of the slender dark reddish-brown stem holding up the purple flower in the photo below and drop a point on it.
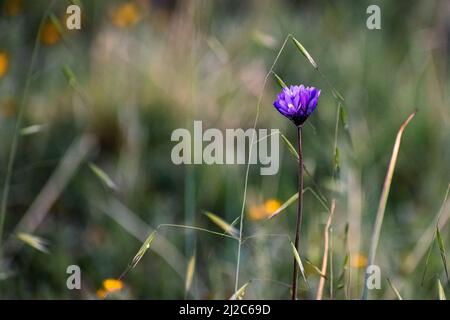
(299, 210)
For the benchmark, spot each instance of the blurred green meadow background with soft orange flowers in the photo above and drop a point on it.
(91, 113)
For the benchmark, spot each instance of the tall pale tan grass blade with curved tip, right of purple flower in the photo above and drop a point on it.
(384, 197)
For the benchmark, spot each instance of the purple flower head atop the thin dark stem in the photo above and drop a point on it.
(297, 103)
